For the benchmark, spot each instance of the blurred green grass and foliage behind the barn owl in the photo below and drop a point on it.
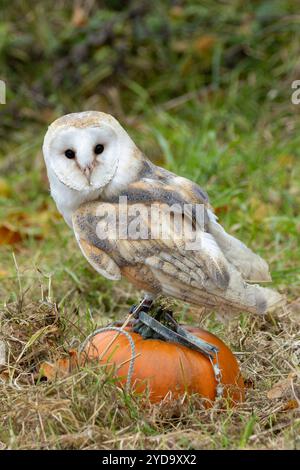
(203, 87)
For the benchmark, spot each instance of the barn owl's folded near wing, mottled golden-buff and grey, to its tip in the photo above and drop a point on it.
(202, 277)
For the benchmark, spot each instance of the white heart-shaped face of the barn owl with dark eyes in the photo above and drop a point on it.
(83, 158)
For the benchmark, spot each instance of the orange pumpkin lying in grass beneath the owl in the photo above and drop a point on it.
(168, 369)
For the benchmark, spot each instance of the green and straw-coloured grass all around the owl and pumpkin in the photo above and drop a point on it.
(229, 126)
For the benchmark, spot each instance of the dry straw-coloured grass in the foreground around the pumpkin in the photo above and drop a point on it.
(87, 411)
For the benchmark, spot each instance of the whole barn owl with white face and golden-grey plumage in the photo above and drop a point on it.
(92, 165)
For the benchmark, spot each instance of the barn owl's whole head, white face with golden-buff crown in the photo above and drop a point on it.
(83, 150)
